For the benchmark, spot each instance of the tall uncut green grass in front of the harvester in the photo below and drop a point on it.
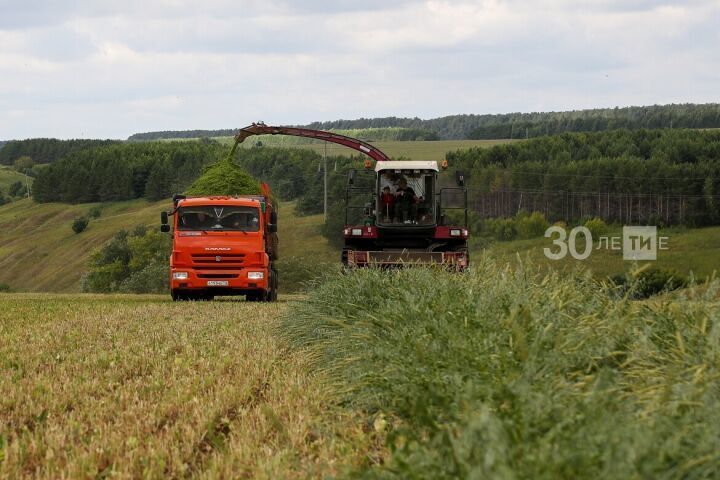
(508, 373)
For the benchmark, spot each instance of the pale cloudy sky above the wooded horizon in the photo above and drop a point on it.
(108, 69)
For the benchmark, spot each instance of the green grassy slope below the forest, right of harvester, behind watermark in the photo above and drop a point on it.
(690, 251)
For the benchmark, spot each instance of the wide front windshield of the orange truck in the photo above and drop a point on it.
(219, 218)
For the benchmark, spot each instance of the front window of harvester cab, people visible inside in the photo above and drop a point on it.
(406, 197)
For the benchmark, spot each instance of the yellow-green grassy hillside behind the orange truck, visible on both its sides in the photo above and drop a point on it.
(40, 252)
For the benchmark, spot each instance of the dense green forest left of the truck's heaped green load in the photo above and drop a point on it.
(152, 170)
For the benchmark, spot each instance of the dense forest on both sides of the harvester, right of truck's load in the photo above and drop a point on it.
(626, 176)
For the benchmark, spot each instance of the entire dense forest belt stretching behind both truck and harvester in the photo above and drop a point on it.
(627, 176)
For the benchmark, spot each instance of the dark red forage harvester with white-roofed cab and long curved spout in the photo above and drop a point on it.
(387, 237)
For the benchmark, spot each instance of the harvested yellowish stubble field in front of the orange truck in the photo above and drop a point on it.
(136, 386)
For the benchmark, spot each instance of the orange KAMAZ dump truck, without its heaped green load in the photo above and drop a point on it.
(223, 245)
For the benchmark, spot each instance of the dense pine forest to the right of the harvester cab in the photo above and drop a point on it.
(639, 176)
